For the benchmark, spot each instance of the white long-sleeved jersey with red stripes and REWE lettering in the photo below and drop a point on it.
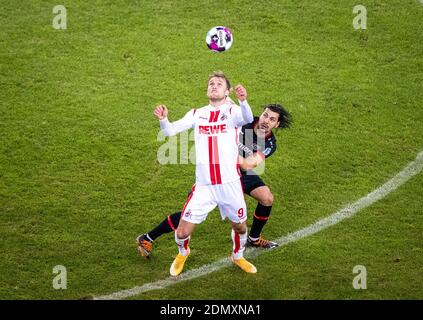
(216, 140)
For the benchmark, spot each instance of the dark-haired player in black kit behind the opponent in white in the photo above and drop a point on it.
(256, 142)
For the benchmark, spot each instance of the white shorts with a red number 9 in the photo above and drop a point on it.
(229, 197)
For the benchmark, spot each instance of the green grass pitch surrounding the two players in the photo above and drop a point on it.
(79, 176)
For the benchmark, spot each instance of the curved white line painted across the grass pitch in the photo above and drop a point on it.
(409, 171)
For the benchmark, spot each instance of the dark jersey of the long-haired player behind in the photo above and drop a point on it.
(249, 143)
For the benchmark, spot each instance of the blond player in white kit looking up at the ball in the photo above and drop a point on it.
(217, 170)
